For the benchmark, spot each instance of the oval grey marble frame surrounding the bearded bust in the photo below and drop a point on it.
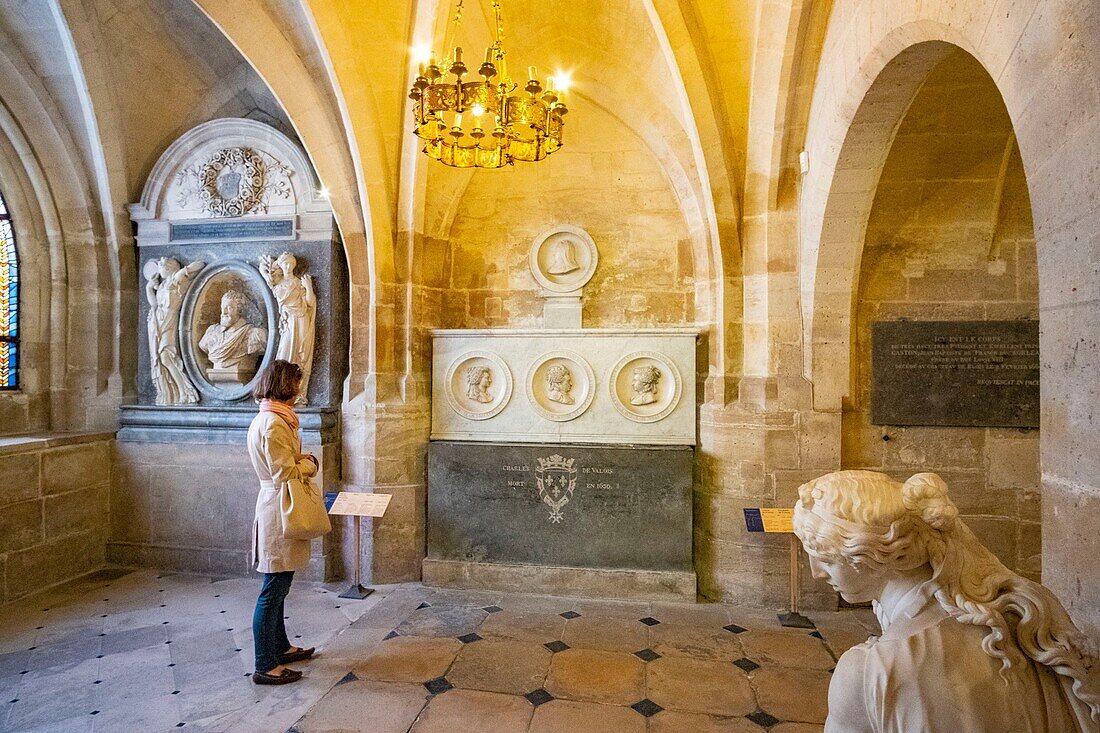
(188, 313)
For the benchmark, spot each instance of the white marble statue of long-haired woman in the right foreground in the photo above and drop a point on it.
(967, 646)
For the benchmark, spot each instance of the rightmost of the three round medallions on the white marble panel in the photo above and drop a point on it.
(645, 387)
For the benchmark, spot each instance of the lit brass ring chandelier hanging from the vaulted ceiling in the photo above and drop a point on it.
(487, 124)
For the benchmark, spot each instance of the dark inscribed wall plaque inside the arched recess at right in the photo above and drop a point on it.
(965, 374)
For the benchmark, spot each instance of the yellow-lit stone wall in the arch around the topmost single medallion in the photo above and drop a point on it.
(606, 181)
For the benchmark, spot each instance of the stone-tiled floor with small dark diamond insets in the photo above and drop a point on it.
(140, 652)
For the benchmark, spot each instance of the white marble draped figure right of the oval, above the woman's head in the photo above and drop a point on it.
(298, 313)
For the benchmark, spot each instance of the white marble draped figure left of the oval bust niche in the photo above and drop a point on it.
(167, 281)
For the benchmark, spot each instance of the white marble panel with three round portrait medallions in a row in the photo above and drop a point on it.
(580, 386)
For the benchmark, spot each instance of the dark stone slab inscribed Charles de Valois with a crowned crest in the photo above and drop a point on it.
(586, 507)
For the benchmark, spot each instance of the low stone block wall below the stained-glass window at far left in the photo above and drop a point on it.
(54, 510)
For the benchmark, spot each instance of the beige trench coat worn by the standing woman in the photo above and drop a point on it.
(276, 451)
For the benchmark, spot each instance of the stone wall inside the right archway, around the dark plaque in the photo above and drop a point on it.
(951, 238)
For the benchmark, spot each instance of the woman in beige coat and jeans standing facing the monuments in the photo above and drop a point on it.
(276, 450)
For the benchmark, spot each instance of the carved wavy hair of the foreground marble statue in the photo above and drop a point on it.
(871, 521)
